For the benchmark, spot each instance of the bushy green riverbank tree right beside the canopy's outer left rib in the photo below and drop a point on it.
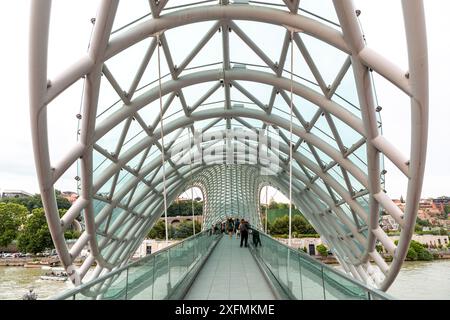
(35, 236)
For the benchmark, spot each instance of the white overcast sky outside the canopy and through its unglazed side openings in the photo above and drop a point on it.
(384, 33)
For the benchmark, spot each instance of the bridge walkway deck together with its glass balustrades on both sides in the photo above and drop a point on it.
(214, 267)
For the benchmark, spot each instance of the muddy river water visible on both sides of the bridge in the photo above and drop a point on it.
(417, 280)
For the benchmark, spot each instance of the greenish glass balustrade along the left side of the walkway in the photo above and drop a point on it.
(153, 277)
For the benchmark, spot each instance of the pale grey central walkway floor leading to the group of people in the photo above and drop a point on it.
(230, 273)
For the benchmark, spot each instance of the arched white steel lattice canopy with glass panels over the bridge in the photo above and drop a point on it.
(229, 75)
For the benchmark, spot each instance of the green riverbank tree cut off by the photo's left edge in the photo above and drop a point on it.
(12, 216)
